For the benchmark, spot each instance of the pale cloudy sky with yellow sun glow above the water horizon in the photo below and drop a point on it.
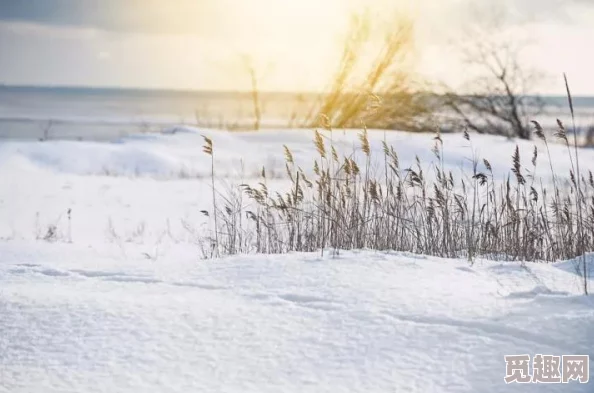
(294, 44)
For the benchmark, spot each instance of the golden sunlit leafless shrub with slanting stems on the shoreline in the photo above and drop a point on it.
(386, 96)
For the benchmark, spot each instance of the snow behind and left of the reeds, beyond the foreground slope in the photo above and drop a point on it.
(144, 186)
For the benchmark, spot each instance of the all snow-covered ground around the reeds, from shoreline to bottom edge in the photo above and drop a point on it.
(121, 301)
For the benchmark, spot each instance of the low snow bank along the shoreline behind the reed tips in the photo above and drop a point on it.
(177, 153)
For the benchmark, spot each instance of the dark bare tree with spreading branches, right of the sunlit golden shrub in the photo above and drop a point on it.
(498, 99)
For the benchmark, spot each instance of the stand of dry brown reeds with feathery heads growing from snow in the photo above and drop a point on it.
(345, 206)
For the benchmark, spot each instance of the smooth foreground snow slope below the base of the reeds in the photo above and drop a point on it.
(80, 320)
